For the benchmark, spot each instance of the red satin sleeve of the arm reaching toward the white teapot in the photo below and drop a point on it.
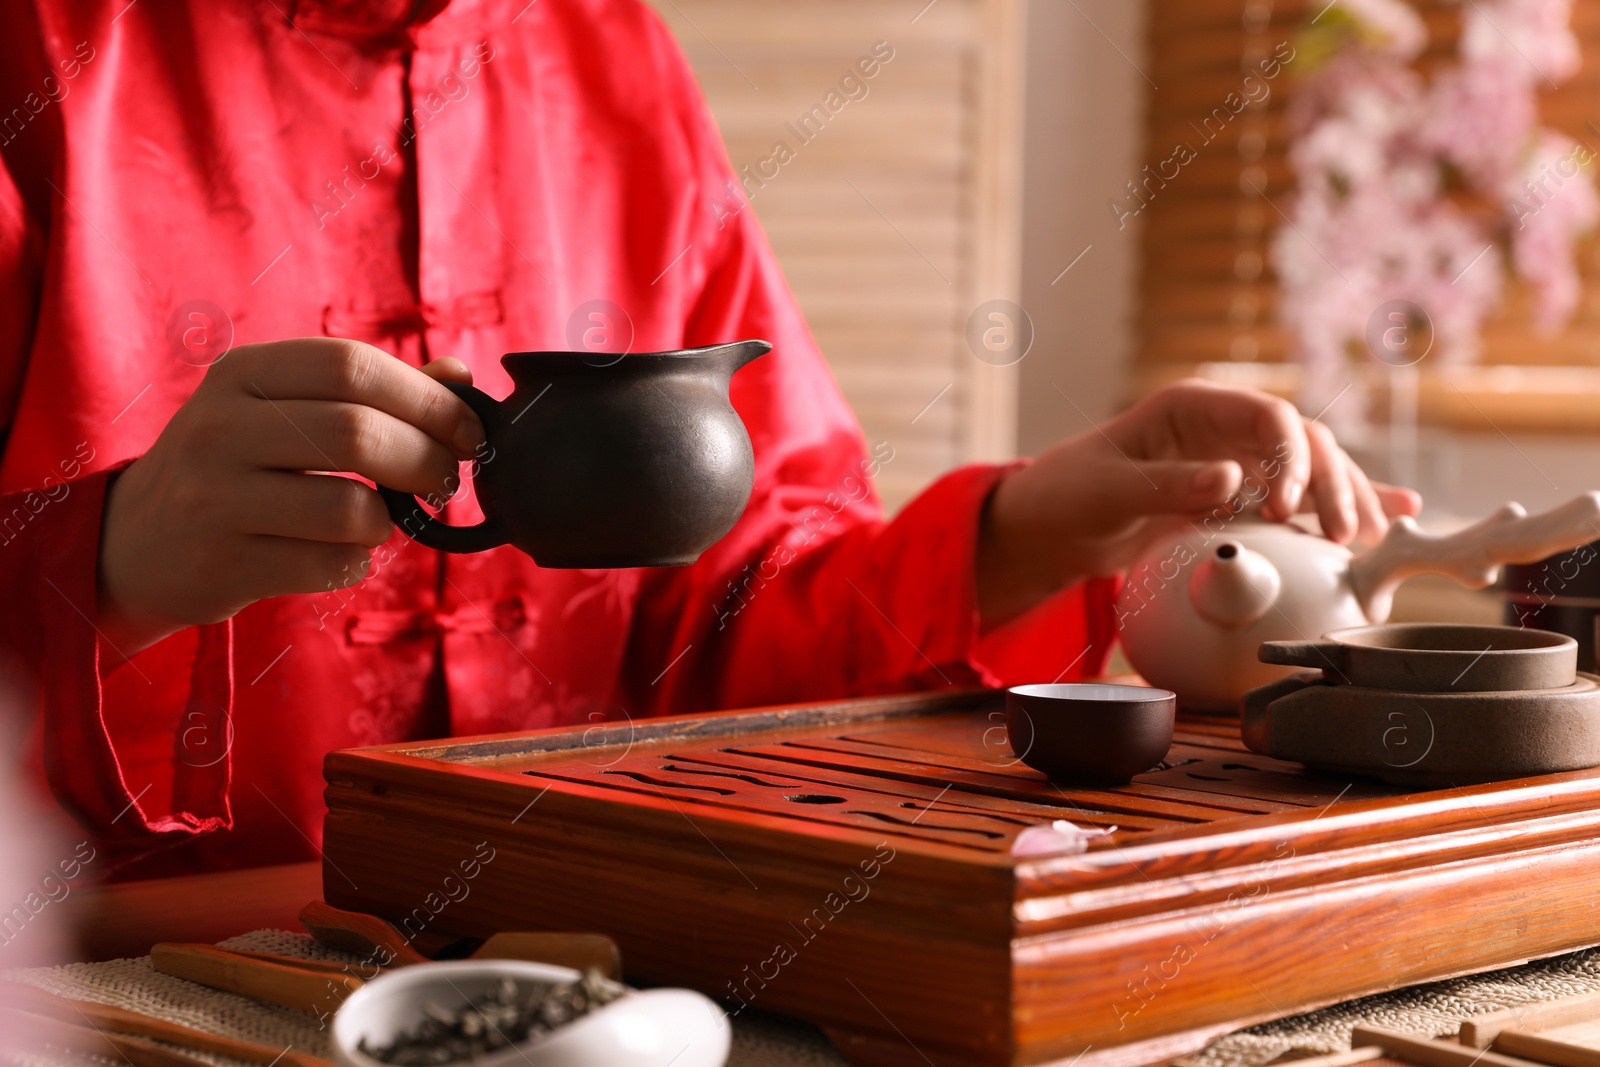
(814, 594)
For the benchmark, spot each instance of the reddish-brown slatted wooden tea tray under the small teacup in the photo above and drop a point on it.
(850, 863)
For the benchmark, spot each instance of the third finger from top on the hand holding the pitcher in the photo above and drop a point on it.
(313, 508)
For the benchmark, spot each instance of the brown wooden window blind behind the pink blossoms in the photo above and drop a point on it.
(1207, 290)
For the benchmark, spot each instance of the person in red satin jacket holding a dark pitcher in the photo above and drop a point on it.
(356, 201)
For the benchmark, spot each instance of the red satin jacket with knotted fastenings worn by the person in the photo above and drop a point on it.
(185, 175)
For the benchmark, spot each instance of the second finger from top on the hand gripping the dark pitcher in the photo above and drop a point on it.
(356, 439)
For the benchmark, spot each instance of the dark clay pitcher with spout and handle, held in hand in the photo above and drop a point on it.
(638, 463)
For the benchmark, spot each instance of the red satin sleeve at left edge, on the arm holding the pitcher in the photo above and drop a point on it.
(137, 749)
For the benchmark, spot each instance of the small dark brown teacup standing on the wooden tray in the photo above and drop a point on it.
(1087, 732)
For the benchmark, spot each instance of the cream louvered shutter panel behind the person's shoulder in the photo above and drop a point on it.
(892, 201)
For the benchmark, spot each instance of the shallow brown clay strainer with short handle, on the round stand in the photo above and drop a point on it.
(1436, 658)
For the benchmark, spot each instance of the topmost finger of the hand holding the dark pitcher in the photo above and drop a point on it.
(327, 369)
